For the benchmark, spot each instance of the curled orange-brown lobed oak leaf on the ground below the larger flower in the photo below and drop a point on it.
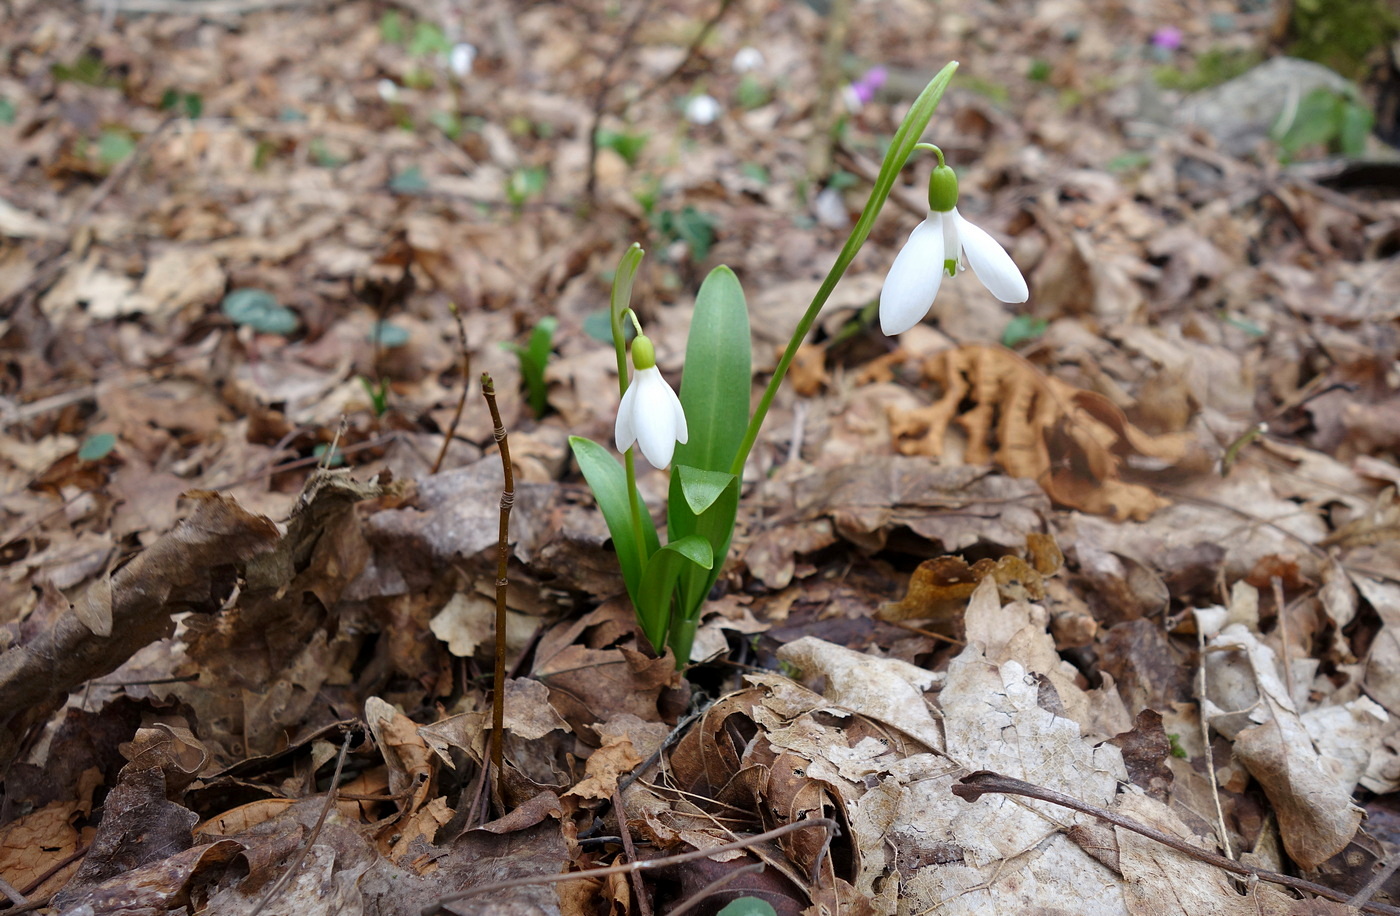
(1072, 442)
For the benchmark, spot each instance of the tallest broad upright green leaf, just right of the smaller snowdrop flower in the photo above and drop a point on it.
(715, 389)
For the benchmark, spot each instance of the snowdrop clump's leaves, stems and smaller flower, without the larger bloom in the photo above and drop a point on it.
(709, 431)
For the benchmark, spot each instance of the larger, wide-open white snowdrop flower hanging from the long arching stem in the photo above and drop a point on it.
(940, 246)
